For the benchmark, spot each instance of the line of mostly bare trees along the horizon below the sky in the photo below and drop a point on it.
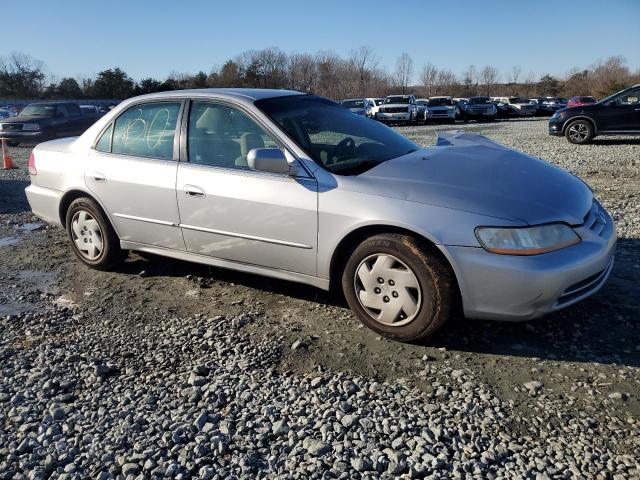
(324, 73)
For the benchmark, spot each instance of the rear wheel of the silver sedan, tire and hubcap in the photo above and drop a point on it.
(88, 226)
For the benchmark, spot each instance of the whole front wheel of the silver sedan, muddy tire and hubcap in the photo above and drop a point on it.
(387, 263)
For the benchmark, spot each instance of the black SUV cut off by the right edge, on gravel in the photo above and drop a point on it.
(618, 114)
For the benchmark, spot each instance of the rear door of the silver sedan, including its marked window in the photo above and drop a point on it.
(132, 172)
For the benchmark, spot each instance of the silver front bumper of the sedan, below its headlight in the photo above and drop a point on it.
(518, 288)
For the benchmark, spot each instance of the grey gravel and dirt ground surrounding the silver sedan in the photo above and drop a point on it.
(168, 369)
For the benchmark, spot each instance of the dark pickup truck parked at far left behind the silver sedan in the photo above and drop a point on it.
(42, 121)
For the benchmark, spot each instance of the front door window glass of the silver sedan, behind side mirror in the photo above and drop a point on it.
(223, 136)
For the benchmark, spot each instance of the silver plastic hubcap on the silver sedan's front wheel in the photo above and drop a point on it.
(388, 290)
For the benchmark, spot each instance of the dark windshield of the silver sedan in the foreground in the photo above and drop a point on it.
(343, 143)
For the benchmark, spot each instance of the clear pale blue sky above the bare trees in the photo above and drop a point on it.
(153, 38)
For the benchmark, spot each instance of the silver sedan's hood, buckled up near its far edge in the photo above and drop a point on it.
(471, 173)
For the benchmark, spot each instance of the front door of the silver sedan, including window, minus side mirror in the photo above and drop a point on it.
(231, 212)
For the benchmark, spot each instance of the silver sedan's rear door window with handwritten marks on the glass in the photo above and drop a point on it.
(146, 130)
